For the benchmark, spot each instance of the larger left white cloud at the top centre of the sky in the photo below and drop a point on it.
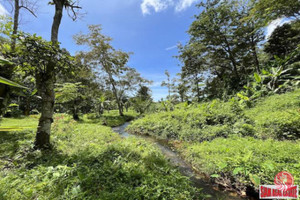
(157, 5)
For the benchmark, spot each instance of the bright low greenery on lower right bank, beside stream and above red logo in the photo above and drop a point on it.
(243, 162)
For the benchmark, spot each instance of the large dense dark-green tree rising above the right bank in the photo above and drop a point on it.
(223, 48)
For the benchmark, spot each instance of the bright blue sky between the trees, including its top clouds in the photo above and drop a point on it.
(150, 29)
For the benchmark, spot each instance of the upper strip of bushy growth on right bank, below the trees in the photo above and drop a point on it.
(275, 117)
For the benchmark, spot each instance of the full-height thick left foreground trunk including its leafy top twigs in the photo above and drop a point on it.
(46, 79)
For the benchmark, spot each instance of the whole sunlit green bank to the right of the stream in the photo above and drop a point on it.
(238, 147)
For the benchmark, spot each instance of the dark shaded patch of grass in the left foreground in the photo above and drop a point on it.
(86, 175)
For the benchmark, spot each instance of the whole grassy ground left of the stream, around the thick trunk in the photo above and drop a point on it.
(88, 161)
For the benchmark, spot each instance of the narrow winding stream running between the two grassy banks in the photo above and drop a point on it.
(184, 168)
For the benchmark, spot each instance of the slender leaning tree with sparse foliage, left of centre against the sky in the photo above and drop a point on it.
(106, 59)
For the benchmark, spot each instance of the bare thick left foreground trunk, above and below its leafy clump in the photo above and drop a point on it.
(46, 87)
